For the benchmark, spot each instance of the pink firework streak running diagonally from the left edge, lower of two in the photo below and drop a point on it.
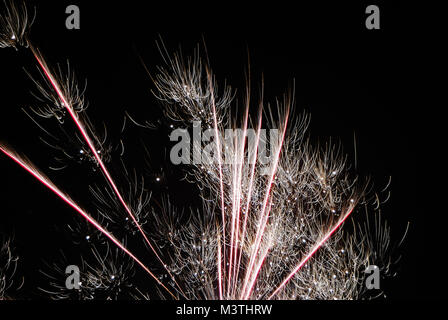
(45, 181)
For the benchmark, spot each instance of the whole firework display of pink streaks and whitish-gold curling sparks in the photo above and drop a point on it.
(270, 226)
